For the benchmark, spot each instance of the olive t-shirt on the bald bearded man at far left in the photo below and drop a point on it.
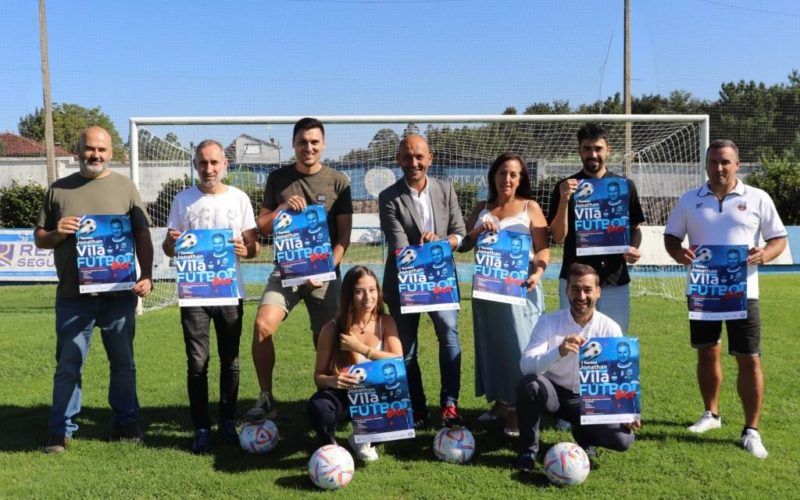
(77, 196)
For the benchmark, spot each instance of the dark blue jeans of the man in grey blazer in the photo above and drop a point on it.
(445, 324)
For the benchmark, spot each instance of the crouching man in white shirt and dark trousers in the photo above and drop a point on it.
(550, 370)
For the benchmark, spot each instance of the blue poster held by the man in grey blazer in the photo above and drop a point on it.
(426, 277)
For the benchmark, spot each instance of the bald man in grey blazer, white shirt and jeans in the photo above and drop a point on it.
(415, 210)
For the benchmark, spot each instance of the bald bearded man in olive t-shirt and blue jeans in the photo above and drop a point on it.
(93, 190)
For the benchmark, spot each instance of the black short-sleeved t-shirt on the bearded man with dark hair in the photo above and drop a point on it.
(612, 268)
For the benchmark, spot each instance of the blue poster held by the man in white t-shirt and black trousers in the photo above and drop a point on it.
(206, 268)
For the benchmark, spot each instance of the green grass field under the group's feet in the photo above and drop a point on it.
(664, 462)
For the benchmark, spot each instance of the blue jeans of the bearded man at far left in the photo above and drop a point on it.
(76, 319)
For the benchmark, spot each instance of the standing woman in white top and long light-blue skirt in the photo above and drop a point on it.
(502, 330)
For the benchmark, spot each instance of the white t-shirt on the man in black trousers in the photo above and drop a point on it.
(194, 209)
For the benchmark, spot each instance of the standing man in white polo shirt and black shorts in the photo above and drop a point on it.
(726, 211)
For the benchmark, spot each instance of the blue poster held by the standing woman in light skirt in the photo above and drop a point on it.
(501, 267)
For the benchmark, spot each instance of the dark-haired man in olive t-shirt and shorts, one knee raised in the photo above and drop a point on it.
(294, 187)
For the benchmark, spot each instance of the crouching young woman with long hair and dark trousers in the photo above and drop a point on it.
(362, 331)
